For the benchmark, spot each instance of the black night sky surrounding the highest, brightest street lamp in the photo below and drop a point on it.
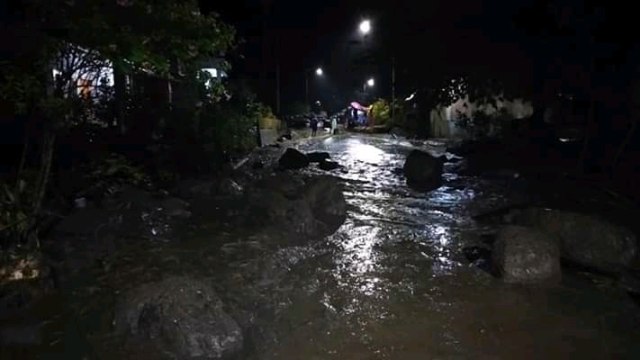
(490, 36)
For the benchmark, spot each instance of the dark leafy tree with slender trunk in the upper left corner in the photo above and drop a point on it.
(78, 38)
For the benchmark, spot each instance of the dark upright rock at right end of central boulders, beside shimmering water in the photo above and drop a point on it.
(326, 200)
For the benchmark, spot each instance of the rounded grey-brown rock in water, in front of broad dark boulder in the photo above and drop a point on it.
(526, 255)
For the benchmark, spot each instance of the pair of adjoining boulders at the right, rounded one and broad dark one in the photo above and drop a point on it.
(531, 247)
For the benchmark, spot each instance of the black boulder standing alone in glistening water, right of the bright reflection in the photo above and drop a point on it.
(423, 171)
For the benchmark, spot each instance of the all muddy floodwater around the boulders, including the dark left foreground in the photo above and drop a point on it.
(392, 283)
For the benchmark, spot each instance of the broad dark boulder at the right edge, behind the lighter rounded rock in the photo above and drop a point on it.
(585, 240)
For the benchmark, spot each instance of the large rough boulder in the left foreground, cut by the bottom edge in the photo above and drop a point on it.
(181, 318)
